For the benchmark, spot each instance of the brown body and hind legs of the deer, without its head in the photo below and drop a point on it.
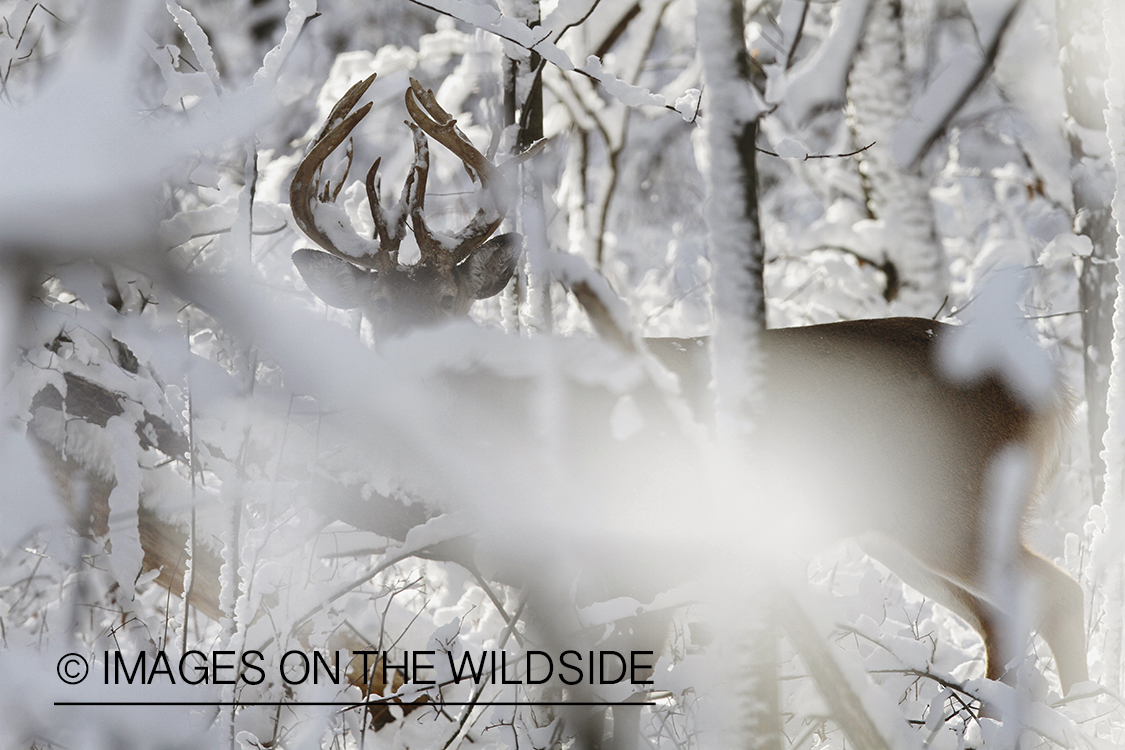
(862, 431)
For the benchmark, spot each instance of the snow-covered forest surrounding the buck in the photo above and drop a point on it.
(165, 362)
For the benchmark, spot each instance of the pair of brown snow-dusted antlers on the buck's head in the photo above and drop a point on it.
(325, 223)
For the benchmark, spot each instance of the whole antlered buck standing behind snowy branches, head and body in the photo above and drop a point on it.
(865, 432)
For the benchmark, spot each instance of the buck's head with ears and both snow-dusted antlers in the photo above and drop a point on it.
(353, 272)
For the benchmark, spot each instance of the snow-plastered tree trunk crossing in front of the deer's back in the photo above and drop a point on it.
(733, 110)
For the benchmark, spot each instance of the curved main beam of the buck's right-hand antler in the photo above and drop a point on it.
(440, 125)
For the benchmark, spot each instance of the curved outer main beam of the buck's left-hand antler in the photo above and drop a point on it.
(305, 186)
